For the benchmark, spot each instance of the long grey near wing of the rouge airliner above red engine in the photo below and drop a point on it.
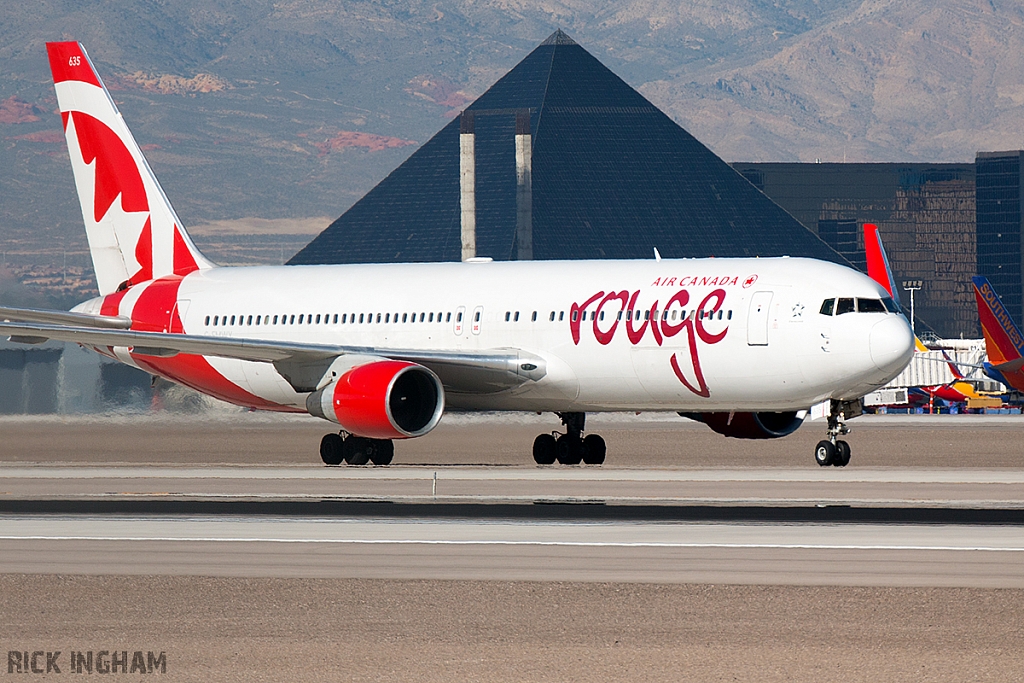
(303, 365)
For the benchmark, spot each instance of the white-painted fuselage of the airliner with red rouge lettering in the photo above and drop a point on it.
(765, 346)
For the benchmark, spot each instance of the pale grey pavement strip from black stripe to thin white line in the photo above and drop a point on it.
(470, 533)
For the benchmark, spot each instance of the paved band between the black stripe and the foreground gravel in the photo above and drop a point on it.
(421, 549)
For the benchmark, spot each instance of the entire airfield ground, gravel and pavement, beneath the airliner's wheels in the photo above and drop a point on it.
(222, 542)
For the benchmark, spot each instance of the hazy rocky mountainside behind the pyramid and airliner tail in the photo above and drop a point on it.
(296, 108)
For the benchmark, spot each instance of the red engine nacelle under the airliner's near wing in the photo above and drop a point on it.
(382, 400)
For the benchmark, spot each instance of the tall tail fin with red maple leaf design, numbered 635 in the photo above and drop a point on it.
(135, 235)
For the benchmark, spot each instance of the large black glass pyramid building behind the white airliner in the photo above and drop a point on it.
(611, 177)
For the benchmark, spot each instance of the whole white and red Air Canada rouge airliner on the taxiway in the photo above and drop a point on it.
(746, 346)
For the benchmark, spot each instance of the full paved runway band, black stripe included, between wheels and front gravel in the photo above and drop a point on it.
(956, 528)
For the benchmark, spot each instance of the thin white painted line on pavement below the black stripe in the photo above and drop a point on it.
(572, 544)
